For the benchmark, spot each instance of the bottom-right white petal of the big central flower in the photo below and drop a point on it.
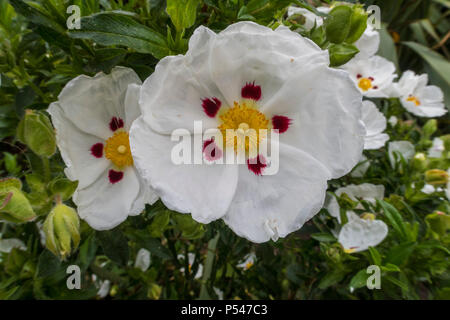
(288, 198)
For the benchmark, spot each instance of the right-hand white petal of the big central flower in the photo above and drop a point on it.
(331, 130)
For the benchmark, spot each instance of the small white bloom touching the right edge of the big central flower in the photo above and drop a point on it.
(375, 123)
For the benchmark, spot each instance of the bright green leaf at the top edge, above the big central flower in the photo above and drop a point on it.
(182, 13)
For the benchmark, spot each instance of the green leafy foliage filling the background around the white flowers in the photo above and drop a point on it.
(39, 55)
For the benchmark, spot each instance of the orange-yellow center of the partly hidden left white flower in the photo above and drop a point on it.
(117, 149)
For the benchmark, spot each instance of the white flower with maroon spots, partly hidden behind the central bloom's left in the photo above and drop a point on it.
(92, 117)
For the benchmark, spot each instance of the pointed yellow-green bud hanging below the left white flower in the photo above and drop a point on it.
(62, 229)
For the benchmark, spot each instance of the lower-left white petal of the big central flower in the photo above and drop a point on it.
(205, 191)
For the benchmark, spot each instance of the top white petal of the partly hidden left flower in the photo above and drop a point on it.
(91, 102)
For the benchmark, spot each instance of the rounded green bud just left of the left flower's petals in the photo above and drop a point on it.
(36, 131)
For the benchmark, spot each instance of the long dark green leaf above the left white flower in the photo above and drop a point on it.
(115, 29)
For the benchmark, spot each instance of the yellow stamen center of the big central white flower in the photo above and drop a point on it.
(246, 122)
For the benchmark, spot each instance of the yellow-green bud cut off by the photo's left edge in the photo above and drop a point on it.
(14, 206)
